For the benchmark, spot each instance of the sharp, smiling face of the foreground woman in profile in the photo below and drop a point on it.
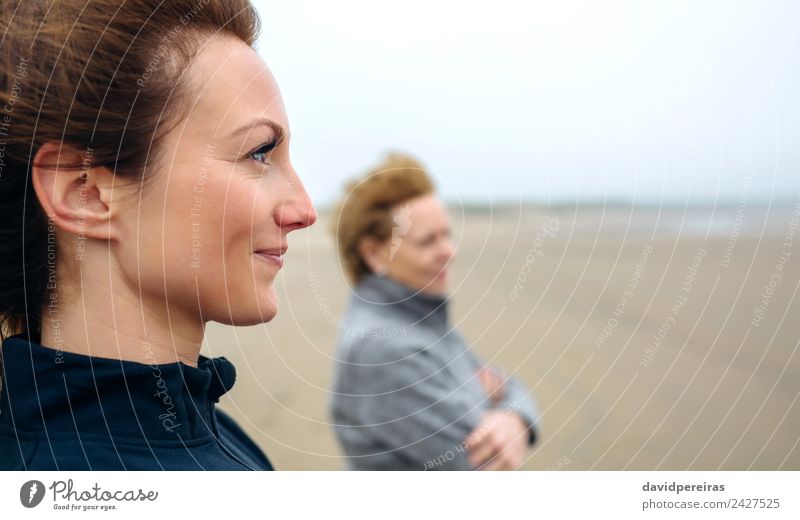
(209, 233)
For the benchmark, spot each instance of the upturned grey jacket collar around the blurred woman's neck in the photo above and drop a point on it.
(418, 306)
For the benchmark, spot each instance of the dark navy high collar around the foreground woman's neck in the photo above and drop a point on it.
(45, 390)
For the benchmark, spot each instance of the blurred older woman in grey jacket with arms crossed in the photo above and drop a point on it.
(408, 391)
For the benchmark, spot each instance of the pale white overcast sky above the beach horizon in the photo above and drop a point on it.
(673, 102)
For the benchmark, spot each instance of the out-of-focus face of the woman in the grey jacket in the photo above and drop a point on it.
(420, 248)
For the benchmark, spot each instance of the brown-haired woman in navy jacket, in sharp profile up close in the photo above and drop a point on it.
(145, 190)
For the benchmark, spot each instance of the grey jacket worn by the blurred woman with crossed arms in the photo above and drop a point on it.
(405, 393)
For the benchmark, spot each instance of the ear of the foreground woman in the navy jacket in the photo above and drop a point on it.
(73, 193)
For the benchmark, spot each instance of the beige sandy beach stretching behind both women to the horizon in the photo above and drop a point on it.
(651, 339)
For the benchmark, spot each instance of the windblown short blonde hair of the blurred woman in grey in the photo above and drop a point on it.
(366, 208)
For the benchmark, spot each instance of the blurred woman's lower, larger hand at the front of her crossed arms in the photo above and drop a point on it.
(499, 442)
